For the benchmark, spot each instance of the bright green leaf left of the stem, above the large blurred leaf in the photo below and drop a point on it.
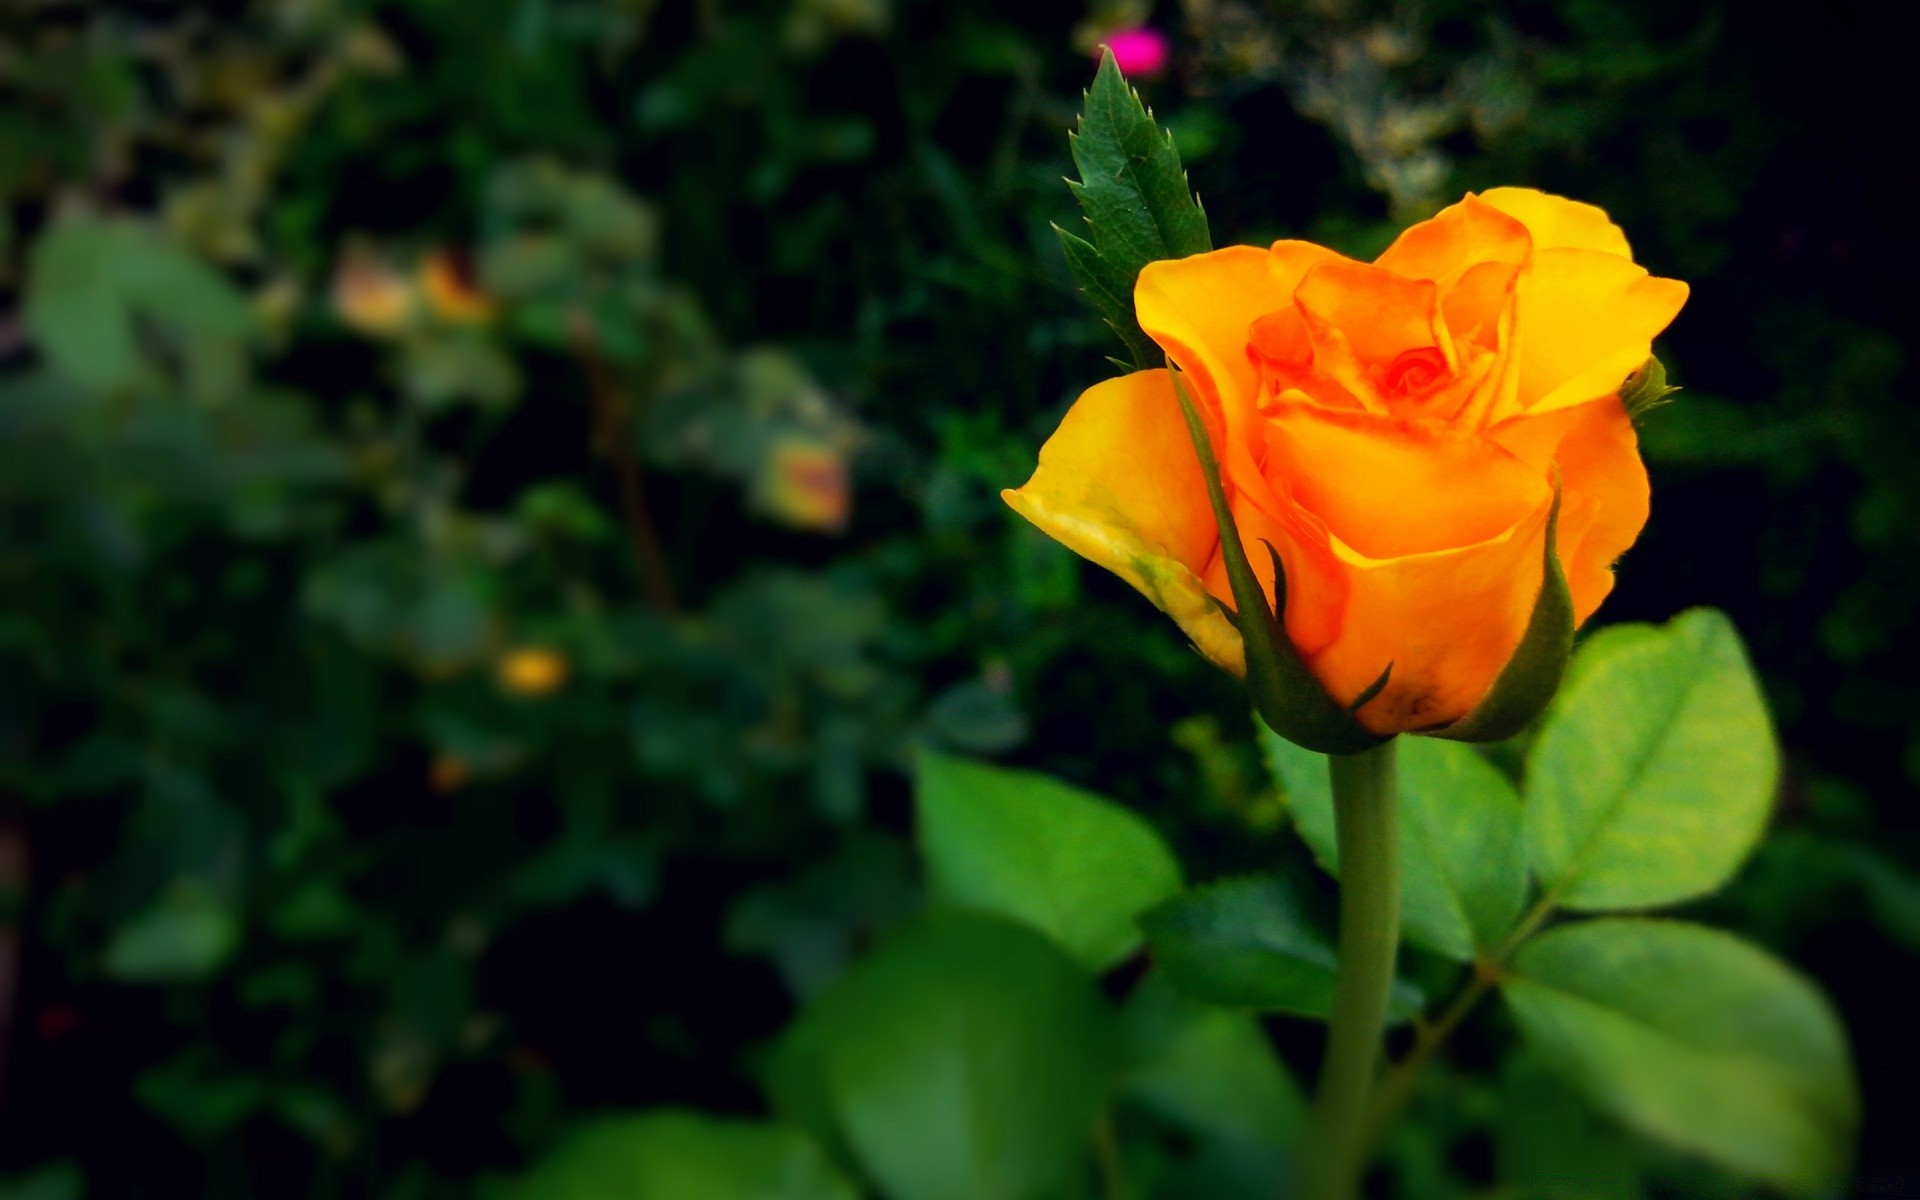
(1024, 846)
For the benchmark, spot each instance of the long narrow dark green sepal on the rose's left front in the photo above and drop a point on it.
(1285, 694)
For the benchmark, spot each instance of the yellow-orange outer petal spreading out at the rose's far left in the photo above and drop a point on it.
(1120, 485)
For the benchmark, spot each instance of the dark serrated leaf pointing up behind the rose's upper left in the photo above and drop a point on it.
(1136, 199)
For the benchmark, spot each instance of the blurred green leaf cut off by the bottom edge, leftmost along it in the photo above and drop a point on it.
(683, 1157)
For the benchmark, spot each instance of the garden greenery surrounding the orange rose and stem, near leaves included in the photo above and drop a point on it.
(514, 673)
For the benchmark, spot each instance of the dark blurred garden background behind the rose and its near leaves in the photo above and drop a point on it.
(492, 494)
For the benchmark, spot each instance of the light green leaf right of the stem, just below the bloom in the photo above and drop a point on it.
(1652, 777)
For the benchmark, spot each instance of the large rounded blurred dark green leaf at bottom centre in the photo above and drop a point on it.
(967, 1061)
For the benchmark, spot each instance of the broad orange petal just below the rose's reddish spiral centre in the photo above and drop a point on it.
(1389, 487)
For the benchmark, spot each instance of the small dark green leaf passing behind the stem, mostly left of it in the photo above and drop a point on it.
(1245, 944)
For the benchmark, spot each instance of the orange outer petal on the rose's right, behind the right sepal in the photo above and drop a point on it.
(1600, 462)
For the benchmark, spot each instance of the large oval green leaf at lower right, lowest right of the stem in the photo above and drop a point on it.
(1692, 1038)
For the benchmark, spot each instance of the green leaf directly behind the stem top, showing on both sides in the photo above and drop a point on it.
(1462, 859)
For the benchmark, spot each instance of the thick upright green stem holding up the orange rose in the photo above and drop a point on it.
(1368, 827)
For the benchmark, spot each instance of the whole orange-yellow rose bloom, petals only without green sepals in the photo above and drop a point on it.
(1395, 431)
